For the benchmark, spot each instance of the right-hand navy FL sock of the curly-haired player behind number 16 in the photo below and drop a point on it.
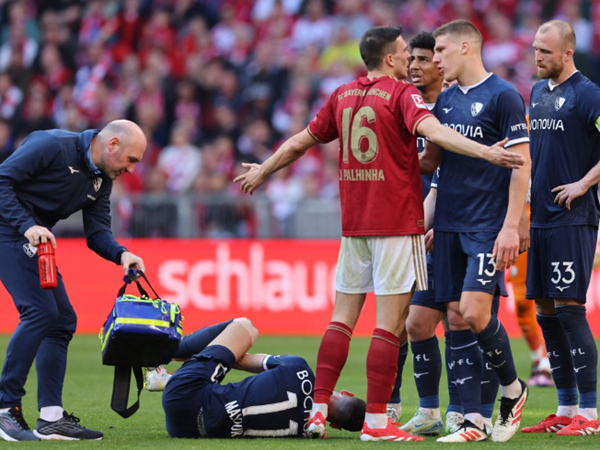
(427, 362)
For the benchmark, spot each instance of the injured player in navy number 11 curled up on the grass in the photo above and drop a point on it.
(273, 403)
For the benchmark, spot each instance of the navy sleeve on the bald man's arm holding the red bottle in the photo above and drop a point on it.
(37, 152)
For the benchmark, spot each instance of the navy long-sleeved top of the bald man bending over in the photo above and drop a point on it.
(48, 178)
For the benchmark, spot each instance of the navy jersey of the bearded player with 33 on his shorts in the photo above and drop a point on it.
(565, 145)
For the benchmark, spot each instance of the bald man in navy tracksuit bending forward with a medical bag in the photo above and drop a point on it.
(52, 175)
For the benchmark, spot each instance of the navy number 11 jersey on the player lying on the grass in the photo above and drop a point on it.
(275, 403)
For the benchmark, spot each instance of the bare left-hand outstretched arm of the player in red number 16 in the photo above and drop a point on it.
(290, 151)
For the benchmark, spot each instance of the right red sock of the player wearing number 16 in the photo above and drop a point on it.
(382, 365)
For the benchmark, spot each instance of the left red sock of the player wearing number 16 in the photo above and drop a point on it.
(332, 356)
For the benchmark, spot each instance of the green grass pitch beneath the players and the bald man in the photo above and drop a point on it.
(88, 388)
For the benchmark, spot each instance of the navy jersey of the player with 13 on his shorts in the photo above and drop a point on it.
(473, 194)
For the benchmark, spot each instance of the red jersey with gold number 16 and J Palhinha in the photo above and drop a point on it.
(380, 180)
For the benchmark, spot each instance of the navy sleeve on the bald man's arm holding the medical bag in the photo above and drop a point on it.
(96, 224)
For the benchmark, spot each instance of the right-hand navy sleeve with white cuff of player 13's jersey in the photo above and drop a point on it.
(511, 117)
